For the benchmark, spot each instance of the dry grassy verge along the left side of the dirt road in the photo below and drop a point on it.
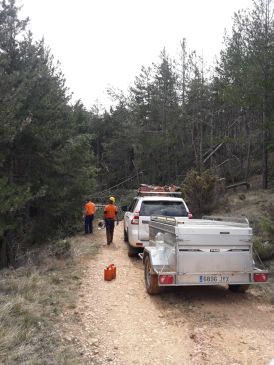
(33, 299)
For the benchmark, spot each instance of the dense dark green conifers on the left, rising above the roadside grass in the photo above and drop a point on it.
(46, 163)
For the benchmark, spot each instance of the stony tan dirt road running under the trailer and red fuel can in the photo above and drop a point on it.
(117, 322)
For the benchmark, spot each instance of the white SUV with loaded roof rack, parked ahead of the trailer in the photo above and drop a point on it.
(138, 213)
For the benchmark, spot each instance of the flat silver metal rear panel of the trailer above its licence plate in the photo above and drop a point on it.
(214, 250)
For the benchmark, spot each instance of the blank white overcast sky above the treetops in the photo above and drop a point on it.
(103, 43)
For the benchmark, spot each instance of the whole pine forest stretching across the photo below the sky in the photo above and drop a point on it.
(178, 115)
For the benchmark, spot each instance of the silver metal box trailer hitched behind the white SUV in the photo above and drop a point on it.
(208, 251)
